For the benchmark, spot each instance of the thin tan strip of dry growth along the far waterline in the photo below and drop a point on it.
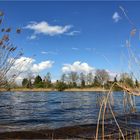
(50, 89)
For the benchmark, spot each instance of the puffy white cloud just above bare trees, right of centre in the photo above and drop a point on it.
(77, 66)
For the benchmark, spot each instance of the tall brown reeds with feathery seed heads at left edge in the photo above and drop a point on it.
(8, 53)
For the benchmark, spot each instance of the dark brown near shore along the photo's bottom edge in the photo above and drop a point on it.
(74, 132)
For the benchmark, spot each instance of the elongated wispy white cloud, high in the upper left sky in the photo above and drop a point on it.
(44, 28)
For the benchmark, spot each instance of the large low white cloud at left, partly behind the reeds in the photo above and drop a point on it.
(27, 65)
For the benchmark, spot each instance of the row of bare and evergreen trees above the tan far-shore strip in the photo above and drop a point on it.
(100, 79)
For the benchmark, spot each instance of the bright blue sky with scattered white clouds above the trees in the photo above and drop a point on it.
(67, 36)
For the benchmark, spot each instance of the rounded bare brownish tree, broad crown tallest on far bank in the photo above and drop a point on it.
(102, 76)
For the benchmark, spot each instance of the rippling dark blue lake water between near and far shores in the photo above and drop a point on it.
(36, 110)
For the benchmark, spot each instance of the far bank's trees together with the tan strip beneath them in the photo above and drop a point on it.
(73, 81)
